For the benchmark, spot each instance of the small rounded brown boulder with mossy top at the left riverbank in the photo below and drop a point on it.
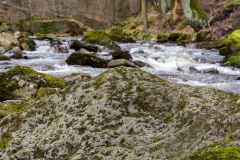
(26, 43)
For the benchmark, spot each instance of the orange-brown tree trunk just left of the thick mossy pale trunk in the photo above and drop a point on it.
(178, 14)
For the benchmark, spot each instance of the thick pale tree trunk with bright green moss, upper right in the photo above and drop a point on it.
(194, 13)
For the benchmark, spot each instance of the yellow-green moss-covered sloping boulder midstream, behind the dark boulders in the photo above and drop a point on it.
(100, 38)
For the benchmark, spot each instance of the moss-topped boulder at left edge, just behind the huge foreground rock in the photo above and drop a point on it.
(22, 83)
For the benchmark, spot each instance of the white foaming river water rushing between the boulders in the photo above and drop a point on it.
(196, 67)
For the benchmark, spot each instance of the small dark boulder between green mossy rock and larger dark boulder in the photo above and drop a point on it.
(77, 45)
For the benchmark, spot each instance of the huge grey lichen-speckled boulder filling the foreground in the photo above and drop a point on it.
(124, 113)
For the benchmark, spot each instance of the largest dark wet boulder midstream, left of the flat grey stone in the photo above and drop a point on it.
(78, 58)
